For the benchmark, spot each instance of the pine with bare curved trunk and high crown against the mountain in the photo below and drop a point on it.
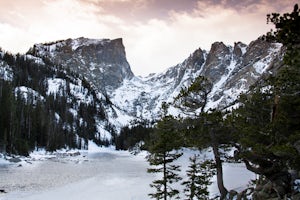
(207, 126)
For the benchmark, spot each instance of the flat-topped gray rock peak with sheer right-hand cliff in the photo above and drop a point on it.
(102, 62)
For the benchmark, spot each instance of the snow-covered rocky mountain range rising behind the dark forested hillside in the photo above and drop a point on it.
(103, 65)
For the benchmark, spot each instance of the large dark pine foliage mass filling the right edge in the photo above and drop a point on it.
(268, 120)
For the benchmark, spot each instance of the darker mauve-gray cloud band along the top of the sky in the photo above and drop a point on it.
(144, 10)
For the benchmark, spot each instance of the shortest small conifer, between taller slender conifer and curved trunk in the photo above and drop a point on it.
(199, 175)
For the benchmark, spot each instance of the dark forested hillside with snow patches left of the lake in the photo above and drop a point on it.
(43, 106)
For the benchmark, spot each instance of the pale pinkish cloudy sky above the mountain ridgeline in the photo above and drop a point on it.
(156, 33)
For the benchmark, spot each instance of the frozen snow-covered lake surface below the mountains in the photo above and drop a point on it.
(96, 174)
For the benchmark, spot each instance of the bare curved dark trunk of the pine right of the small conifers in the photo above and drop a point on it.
(222, 189)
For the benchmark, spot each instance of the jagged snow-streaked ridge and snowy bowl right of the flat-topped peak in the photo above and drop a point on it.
(230, 69)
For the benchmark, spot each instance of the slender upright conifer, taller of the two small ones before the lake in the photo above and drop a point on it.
(163, 153)
